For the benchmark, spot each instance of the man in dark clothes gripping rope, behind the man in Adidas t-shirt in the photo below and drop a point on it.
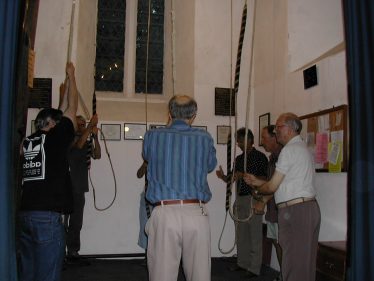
(86, 146)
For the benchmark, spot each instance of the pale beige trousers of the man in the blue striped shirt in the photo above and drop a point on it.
(175, 232)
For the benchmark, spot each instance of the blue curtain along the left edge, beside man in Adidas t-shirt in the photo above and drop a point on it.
(9, 26)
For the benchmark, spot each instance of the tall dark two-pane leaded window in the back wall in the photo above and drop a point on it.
(110, 44)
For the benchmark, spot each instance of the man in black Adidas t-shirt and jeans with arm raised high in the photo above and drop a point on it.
(46, 189)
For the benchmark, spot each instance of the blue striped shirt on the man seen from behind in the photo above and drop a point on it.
(179, 159)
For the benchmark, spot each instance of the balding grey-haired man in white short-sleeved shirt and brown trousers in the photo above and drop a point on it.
(299, 216)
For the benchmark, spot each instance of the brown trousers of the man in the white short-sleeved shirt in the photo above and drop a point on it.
(298, 237)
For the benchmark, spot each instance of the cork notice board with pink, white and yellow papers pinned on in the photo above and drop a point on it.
(326, 135)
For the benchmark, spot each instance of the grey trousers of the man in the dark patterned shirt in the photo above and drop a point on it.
(249, 236)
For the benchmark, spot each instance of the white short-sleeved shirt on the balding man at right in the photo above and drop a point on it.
(296, 163)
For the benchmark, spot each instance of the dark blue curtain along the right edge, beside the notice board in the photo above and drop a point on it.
(359, 33)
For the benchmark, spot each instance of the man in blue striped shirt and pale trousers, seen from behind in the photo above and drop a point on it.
(179, 158)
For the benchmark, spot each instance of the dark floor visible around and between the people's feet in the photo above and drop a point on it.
(136, 270)
